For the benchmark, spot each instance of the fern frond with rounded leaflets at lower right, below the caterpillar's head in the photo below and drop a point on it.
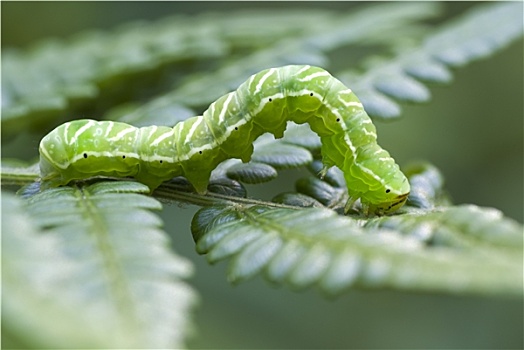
(301, 248)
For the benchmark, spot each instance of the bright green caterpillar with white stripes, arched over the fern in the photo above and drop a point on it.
(227, 129)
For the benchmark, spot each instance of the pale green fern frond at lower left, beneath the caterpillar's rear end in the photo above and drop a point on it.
(99, 250)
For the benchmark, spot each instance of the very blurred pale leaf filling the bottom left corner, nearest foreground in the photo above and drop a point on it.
(34, 270)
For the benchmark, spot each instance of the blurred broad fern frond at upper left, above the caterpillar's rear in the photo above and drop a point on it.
(54, 77)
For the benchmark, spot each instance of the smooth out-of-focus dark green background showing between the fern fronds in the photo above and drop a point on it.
(472, 130)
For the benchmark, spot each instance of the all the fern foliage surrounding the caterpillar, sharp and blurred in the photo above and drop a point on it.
(88, 265)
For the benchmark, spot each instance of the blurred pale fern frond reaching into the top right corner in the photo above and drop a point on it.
(480, 32)
